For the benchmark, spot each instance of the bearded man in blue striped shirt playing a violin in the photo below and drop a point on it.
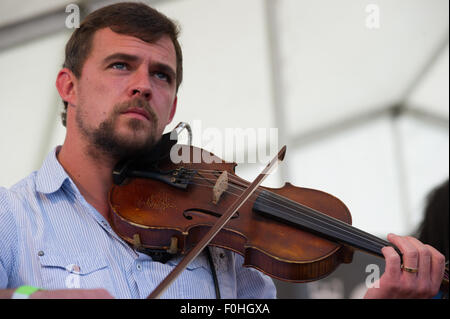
(119, 84)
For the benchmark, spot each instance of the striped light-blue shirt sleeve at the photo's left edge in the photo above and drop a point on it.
(8, 239)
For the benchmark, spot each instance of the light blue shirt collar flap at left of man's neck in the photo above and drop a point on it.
(51, 175)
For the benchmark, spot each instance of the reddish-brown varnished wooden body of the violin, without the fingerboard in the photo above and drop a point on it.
(151, 213)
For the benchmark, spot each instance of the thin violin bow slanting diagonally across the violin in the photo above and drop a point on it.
(196, 250)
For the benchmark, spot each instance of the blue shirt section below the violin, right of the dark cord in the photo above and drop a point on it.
(251, 283)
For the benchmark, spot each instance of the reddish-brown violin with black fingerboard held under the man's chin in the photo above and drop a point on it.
(291, 233)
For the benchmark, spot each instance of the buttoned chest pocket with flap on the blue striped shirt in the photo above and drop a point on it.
(77, 271)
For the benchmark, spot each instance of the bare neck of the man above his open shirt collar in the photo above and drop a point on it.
(91, 173)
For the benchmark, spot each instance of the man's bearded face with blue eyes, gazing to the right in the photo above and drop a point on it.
(126, 93)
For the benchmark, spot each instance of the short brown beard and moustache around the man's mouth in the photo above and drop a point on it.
(106, 140)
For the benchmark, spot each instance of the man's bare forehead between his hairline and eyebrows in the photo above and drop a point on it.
(106, 41)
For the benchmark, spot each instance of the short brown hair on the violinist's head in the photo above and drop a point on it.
(130, 18)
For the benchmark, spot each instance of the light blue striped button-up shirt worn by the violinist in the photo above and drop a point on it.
(50, 237)
